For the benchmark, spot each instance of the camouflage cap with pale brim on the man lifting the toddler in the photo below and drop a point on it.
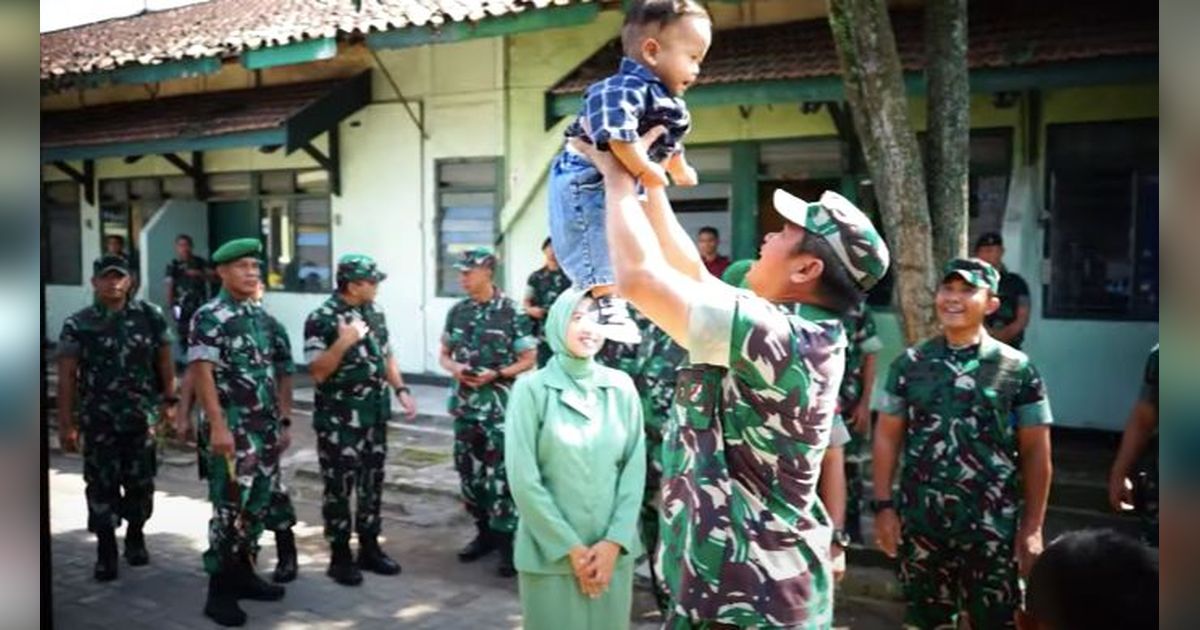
(850, 233)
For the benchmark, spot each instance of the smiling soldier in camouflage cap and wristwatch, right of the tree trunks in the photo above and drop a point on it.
(973, 418)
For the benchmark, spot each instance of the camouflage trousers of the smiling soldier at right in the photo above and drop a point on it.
(940, 578)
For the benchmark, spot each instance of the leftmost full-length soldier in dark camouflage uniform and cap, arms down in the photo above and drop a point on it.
(116, 356)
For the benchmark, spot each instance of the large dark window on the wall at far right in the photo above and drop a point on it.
(1103, 237)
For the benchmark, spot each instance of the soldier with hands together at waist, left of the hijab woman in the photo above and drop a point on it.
(487, 344)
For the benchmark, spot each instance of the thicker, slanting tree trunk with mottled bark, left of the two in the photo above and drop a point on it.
(871, 69)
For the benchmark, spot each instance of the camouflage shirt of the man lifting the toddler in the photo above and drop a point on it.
(746, 542)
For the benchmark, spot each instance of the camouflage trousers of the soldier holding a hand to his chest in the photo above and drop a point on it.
(352, 452)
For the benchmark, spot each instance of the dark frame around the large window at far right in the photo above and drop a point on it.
(1049, 310)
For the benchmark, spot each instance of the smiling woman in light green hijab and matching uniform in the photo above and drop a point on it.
(575, 457)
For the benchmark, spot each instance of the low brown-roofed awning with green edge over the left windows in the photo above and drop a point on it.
(280, 116)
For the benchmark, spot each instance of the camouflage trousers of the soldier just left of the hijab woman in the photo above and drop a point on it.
(479, 459)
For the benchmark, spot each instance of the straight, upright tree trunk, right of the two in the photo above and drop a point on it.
(950, 127)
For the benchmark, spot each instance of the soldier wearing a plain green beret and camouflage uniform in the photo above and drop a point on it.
(232, 359)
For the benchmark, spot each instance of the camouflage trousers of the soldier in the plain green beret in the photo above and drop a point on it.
(241, 489)
